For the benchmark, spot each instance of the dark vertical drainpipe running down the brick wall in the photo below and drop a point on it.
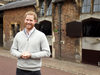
(59, 12)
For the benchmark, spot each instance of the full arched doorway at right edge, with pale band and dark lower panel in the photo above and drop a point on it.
(90, 47)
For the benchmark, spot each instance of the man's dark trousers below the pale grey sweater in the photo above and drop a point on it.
(23, 72)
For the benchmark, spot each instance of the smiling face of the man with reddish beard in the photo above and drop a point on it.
(29, 22)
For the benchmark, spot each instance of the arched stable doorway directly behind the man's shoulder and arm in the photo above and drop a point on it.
(46, 27)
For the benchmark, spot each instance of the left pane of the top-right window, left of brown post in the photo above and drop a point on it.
(86, 6)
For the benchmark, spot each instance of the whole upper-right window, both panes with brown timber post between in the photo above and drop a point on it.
(90, 6)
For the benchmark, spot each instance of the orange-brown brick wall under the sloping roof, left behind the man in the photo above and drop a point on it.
(13, 15)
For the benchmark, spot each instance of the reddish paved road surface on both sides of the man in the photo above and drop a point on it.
(8, 67)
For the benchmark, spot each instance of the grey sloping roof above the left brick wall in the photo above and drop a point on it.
(17, 4)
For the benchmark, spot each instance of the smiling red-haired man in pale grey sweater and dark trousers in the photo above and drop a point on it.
(29, 46)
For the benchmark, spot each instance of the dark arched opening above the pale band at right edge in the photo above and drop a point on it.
(91, 27)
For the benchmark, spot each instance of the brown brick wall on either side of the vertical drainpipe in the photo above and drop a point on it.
(68, 49)
